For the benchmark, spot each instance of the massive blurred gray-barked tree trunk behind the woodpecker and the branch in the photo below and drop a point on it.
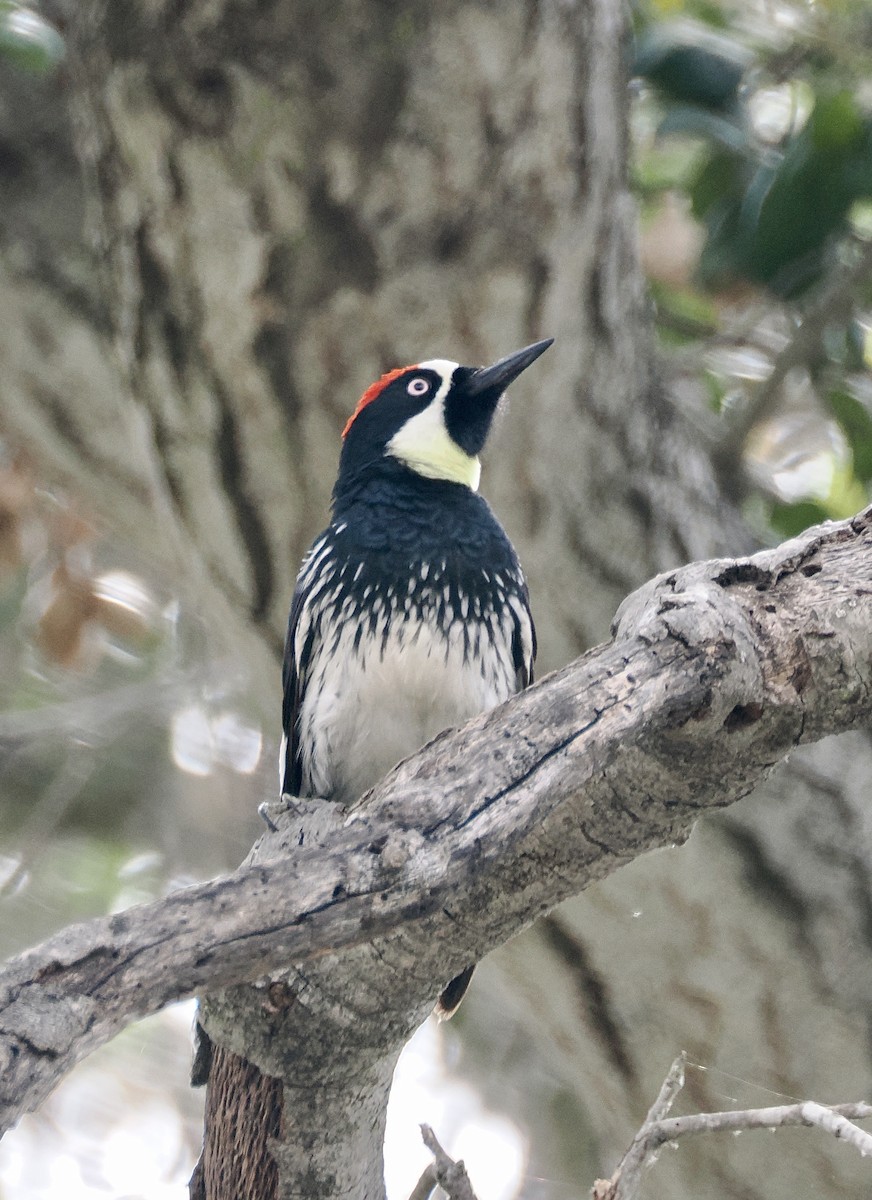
(284, 201)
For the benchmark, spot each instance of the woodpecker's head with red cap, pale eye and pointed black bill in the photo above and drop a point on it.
(431, 418)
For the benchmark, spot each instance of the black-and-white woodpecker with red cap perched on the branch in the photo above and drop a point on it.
(411, 613)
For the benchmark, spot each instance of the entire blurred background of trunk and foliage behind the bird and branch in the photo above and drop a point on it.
(211, 243)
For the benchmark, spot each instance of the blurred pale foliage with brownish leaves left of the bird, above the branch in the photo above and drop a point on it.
(122, 736)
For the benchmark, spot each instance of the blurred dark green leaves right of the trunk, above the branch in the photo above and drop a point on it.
(754, 163)
